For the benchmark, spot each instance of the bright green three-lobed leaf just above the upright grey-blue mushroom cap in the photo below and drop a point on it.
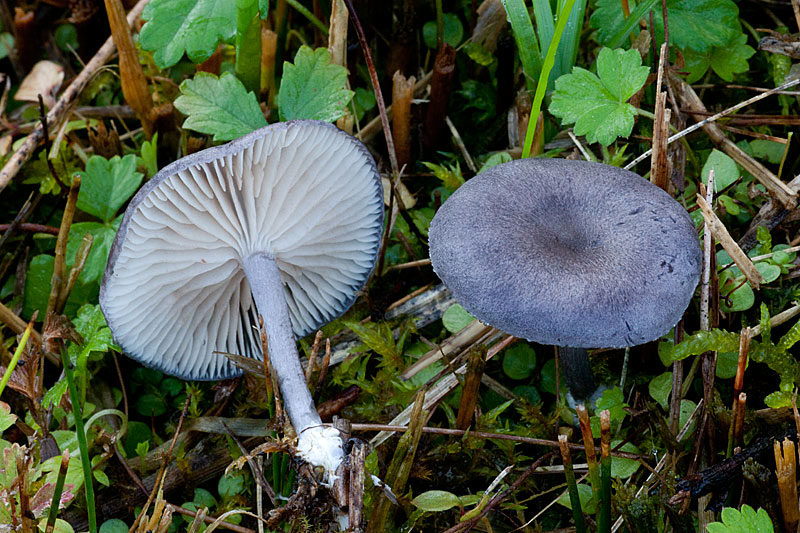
(597, 104)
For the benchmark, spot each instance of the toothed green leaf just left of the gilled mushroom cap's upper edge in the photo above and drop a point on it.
(107, 184)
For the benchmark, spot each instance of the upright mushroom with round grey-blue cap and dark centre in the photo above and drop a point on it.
(568, 253)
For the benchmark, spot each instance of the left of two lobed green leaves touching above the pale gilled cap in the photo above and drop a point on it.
(221, 107)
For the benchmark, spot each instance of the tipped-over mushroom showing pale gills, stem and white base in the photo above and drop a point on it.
(284, 222)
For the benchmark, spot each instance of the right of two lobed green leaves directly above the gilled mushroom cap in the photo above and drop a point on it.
(312, 88)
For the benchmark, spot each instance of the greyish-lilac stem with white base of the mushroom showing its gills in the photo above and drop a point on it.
(317, 444)
